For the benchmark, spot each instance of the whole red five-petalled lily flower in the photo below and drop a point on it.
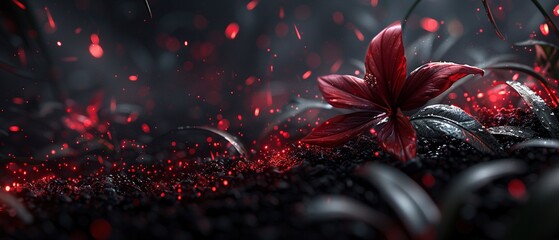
(382, 96)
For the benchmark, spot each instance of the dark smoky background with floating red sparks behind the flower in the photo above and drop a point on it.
(228, 64)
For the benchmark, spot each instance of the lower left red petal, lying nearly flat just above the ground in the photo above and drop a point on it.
(341, 128)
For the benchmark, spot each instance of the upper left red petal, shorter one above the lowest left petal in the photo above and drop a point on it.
(345, 91)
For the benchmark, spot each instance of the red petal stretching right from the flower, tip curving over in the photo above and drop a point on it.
(430, 80)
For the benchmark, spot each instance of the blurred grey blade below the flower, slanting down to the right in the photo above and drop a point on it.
(412, 204)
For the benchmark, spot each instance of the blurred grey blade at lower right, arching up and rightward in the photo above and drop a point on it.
(467, 183)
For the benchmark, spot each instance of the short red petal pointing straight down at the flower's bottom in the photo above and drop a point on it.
(397, 137)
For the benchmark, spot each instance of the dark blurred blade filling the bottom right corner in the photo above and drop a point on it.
(539, 217)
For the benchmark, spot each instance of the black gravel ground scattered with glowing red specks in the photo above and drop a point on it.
(263, 202)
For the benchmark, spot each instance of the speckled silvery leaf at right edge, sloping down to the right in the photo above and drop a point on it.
(539, 107)
